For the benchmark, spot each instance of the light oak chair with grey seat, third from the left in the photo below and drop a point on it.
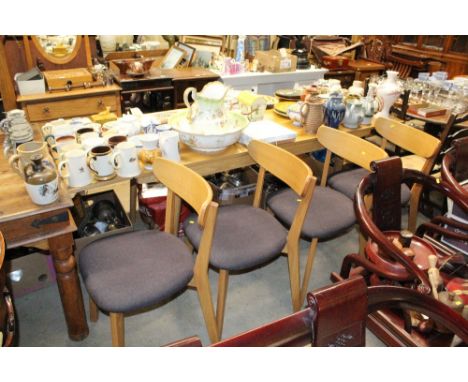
(331, 212)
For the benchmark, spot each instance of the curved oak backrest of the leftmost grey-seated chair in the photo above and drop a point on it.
(186, 184)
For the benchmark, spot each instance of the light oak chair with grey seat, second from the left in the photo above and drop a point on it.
(246, 236)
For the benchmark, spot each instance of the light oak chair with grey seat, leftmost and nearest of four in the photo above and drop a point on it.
(134, 271)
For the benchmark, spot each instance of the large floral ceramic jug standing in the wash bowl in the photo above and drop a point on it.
(208, 108)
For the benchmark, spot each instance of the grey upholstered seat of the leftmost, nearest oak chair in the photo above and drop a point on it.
(131, 271)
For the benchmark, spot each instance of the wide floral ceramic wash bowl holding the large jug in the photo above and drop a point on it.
(209, 140)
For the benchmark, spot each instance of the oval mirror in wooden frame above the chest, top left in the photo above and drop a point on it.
(59, 49)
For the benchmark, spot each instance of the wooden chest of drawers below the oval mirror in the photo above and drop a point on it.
(73, 103)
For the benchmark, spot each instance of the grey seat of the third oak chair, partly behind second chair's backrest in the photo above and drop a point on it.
(329, 214)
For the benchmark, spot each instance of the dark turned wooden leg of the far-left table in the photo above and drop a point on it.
(61, 249)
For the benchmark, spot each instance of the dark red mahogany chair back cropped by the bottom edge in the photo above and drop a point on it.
(336, 316)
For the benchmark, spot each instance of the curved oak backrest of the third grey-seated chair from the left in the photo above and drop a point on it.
(349, 147)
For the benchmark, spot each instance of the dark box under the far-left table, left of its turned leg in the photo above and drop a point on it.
(29, 273)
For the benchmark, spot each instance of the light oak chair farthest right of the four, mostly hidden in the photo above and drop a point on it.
(424, 149)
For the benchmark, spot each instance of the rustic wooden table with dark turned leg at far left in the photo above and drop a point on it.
(23, 223)
